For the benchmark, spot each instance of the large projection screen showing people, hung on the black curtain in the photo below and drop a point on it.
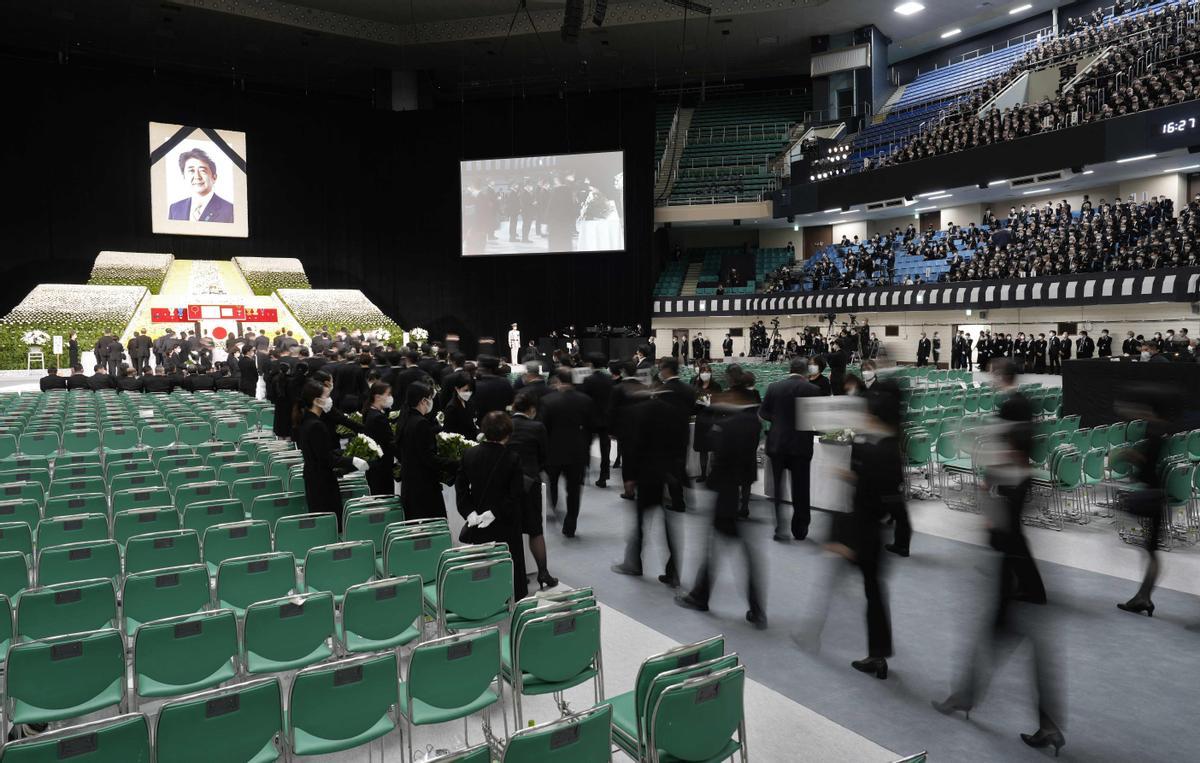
(544, 205)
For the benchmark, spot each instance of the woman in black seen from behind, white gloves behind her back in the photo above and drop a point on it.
(490, 494)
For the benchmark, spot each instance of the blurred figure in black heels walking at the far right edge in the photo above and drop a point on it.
(1156, 406)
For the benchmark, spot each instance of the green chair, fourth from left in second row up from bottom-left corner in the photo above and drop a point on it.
(382, 615)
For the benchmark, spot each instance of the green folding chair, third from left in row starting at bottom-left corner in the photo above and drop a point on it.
(343, 706)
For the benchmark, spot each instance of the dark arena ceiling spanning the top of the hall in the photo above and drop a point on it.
(482, 46)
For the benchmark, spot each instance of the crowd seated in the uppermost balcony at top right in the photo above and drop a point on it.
(1153, 64)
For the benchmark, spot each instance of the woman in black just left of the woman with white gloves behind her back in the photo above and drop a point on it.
(417, 449)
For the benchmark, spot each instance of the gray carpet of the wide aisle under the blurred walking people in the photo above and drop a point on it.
(1131, 690)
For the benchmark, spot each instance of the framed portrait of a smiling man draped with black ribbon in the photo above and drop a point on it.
(199, 182)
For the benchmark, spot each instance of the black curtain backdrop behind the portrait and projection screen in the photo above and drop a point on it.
(365, 199)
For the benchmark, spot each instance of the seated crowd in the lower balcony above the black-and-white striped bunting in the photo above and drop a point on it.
(1033, 242)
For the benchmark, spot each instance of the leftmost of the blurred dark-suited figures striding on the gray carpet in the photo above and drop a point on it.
(656, 440)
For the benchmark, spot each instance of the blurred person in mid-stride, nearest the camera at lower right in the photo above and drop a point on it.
(1007, 479)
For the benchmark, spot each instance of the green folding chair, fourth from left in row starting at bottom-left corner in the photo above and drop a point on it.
(451, 678)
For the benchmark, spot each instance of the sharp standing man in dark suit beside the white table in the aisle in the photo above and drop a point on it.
(789, 449)
